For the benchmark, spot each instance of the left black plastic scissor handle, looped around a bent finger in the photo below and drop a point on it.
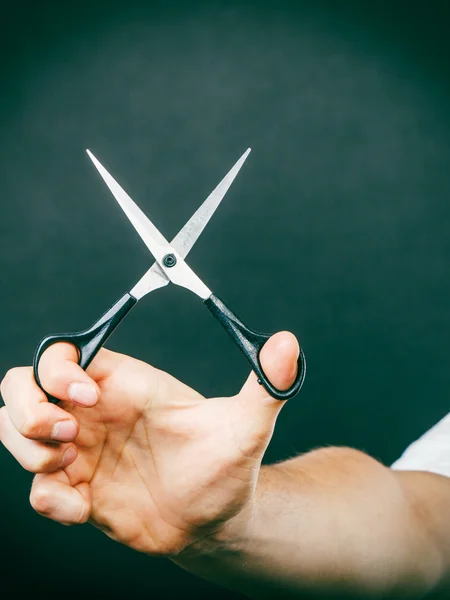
(89, 341)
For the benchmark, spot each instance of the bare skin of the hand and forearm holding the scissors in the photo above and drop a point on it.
(159, 468)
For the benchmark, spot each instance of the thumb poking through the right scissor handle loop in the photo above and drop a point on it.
(278, 359)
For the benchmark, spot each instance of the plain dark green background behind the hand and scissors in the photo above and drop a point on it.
(337, 228)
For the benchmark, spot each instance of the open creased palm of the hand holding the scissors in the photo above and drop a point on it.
(158, 466)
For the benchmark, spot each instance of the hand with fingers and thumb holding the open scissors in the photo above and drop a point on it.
(135, 452)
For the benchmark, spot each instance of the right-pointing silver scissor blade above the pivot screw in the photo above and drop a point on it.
(186, 237)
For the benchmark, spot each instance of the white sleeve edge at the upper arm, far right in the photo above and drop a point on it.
(431, 452)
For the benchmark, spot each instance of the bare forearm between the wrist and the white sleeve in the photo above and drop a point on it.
(333, 520)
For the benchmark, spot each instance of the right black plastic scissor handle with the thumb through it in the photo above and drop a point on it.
(250, 343)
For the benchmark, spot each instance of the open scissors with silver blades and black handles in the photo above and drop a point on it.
(170, 266)
